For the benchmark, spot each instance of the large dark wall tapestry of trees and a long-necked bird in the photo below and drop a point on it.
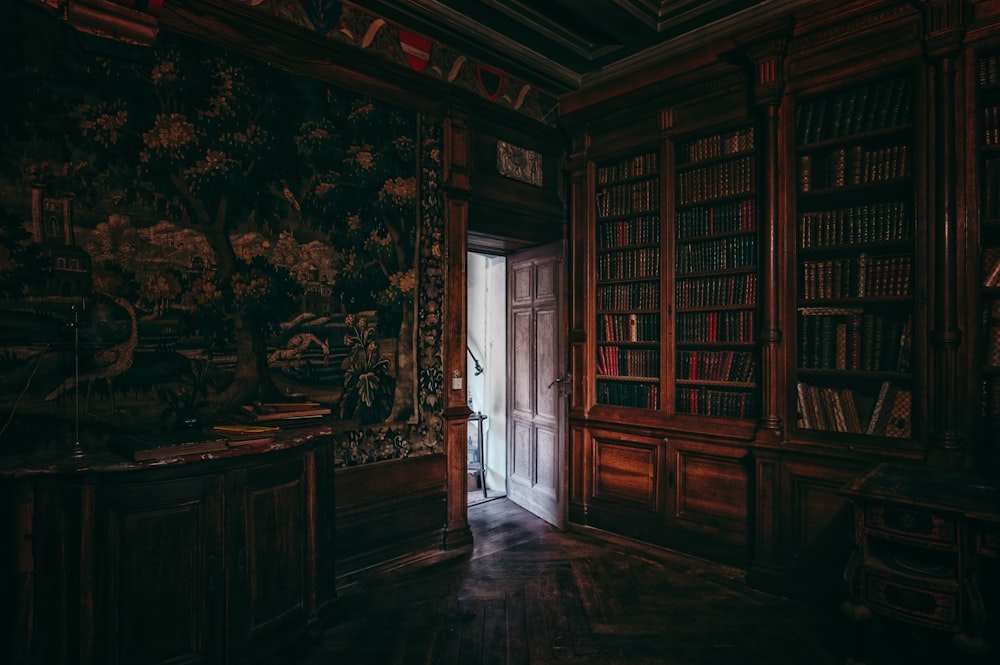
(189, 233)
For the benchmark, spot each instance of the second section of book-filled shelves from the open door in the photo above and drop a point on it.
(715, 275)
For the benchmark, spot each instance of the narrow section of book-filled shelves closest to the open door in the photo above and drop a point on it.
(628, 281)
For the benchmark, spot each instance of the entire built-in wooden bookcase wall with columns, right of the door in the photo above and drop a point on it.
(829, 196)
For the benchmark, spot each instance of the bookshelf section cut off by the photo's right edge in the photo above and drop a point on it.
(988, 79)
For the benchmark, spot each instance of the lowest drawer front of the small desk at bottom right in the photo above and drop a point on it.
(938, 608)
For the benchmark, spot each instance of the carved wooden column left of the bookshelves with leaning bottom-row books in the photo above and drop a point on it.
(769, 85)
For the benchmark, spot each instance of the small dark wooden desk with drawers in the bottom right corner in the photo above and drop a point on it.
(920, 536)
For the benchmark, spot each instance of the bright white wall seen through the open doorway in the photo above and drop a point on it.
(487, 324)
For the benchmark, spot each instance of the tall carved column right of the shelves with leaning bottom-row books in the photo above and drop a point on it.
(943, 35)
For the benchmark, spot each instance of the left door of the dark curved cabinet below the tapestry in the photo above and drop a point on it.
(164, 540)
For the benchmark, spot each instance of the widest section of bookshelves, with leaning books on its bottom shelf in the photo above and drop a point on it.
(855, 247)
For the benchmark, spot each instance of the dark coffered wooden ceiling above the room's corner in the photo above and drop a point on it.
(566, 45)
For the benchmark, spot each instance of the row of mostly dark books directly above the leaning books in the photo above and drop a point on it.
(848, 339)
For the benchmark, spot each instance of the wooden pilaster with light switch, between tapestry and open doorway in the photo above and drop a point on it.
(456, 410)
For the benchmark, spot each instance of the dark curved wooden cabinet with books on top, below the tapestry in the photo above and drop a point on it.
(223, 560)
